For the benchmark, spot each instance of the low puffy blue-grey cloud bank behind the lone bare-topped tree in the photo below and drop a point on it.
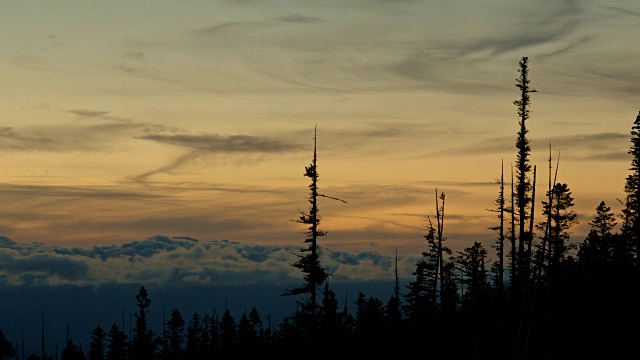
(162, 260)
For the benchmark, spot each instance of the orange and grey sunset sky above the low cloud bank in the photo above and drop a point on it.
(122, 120)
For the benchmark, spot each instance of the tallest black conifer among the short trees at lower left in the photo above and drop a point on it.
(142, 345)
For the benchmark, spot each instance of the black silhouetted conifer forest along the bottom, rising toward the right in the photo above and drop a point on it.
(545, 296)
